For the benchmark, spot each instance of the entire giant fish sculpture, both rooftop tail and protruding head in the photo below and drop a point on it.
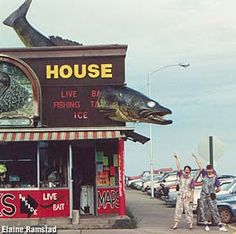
(116, 103)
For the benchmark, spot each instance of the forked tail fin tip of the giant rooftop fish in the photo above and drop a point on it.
(19, 13)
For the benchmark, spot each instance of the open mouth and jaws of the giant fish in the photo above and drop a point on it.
(156, 117)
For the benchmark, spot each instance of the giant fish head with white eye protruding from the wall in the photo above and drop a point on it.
(127, 105)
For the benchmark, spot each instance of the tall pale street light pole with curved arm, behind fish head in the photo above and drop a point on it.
(150, 125)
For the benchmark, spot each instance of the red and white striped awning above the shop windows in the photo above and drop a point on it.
(16, 136)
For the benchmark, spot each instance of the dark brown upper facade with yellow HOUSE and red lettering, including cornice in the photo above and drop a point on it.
(70, 79)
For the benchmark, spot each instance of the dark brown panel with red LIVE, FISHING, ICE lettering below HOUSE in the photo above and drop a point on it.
(73, 107)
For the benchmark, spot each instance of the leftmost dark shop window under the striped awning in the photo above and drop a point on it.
(18, 165)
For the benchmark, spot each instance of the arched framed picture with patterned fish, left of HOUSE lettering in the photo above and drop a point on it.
(20, 94)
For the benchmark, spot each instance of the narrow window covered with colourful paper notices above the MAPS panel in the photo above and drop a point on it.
(107, 165)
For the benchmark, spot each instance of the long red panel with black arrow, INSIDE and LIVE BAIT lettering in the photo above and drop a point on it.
(34, 204)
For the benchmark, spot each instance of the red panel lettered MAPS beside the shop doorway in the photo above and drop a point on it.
(108, 200)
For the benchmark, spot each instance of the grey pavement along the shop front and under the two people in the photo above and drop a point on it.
(153, 215)
